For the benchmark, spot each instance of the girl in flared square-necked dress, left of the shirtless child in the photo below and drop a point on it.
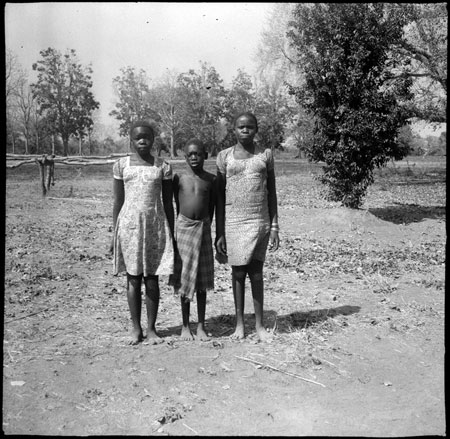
(143, 218)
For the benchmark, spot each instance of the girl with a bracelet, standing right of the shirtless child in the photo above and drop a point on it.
(246, 217)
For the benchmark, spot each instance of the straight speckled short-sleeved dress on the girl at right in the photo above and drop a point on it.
(247, 220)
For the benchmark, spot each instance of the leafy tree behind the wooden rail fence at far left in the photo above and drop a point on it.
(63, 92)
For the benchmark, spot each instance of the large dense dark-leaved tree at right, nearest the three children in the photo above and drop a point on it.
(343, 50)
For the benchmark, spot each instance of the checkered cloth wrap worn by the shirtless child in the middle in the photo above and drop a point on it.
(194, 259)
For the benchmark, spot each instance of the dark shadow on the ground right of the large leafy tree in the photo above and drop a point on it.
(408, 213)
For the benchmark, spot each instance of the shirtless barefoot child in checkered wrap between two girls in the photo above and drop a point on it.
(195, 195)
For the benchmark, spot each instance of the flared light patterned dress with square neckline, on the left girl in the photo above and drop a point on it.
(142, 238)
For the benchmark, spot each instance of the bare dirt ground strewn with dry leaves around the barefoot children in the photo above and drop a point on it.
(354, 299)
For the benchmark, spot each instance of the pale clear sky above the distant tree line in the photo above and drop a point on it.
(153, 36)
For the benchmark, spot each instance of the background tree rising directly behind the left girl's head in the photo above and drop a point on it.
(132, 90)
